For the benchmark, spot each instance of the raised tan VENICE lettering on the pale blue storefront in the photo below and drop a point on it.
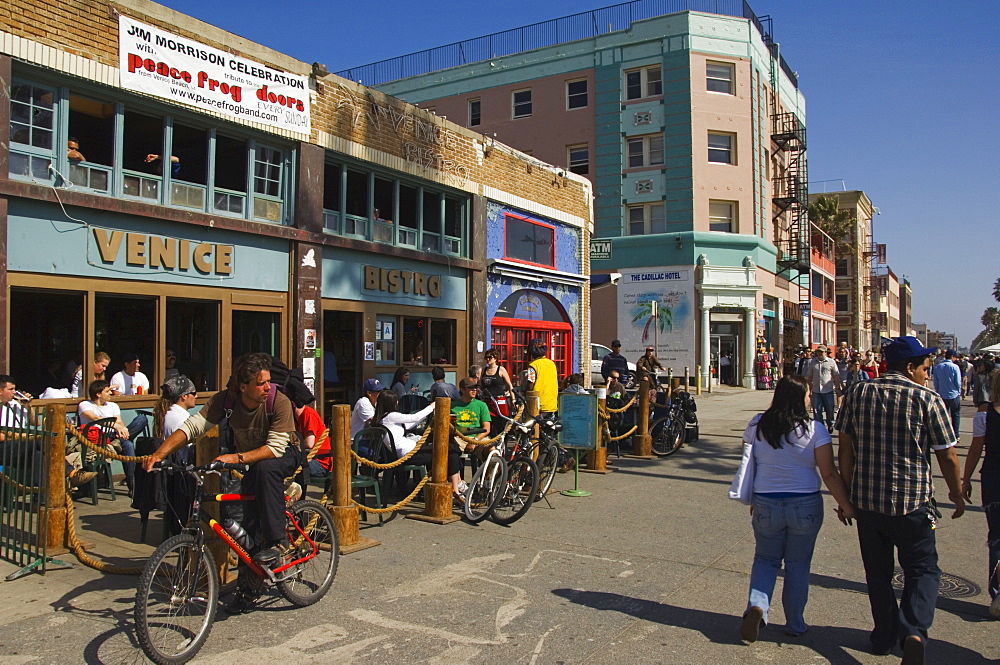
(164, 253)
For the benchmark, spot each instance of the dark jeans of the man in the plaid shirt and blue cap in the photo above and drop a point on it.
(912, 535)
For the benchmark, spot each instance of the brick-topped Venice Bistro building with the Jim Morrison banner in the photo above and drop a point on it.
(167, 185)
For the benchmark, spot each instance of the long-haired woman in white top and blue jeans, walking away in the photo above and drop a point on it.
(787, 508)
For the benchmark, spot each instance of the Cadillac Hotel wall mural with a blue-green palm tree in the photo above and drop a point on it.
(671, 331)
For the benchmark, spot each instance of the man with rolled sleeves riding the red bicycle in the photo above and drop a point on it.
(264, 438)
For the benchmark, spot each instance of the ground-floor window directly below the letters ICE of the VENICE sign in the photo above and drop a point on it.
(192, 340)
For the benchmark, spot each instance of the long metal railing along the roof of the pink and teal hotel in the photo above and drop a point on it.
(584, 25)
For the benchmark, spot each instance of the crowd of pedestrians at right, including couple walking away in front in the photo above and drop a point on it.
(898, 409)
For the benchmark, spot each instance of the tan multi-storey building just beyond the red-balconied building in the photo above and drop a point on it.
(854, 273)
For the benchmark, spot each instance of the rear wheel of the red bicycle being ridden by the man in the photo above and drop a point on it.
(308, 581)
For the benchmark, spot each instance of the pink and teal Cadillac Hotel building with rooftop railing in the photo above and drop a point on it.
(691, 126)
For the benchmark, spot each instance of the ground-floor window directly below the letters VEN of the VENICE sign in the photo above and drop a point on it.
(124, 325)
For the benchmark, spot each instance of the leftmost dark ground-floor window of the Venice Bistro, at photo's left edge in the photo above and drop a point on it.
(46, 339)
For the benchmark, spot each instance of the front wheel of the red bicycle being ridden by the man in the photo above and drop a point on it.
(176, 600)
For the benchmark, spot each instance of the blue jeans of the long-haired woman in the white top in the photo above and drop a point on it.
(785, 530)
